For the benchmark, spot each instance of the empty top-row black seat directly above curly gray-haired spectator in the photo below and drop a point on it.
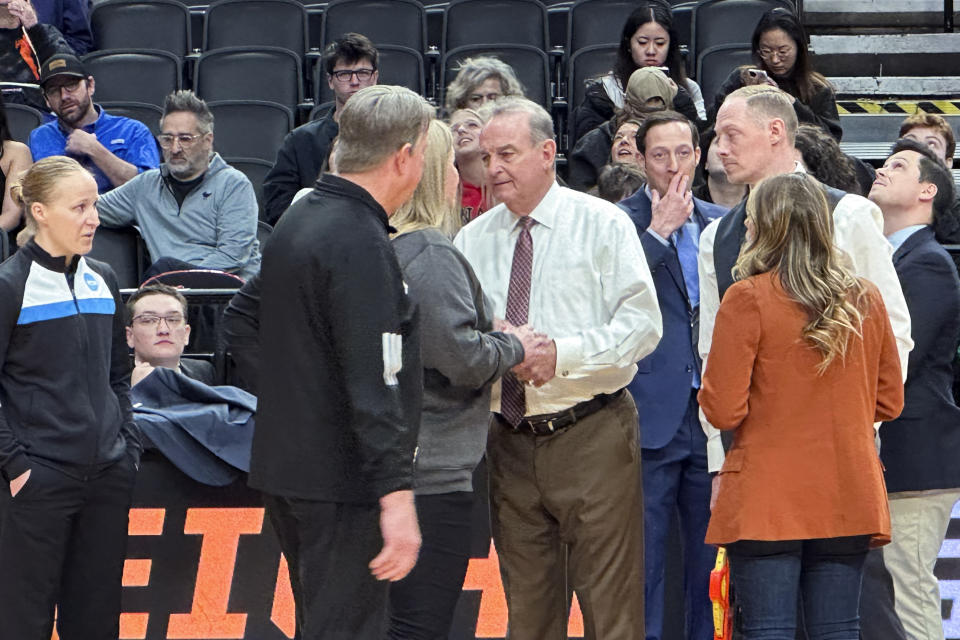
(494, 22)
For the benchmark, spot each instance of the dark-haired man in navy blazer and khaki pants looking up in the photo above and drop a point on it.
(920, 449)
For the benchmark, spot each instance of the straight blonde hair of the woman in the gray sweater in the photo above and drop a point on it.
(428, 207)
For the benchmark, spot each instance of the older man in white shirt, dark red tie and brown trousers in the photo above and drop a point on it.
(563, 452)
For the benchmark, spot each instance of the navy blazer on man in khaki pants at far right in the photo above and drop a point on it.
(920, 449)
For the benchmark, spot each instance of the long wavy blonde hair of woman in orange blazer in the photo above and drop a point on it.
(793, 237)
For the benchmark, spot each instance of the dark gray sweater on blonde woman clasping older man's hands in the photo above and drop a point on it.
(462, 358)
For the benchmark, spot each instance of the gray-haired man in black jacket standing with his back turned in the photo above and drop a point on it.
(340, 375)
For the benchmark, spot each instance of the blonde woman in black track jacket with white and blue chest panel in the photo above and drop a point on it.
(68, 446)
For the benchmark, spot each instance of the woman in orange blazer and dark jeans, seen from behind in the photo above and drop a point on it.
(803, 363)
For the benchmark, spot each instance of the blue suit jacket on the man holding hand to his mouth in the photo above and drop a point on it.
(661, 387)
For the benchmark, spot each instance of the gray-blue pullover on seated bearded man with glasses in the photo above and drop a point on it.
(215, 228)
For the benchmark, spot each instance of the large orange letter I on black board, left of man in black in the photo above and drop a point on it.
(221, 530)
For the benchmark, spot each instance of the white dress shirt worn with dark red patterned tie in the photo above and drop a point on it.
(591, 291)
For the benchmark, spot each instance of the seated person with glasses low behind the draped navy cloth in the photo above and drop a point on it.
(158, 332)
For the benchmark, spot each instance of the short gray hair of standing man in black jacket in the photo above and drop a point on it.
(375, 123)
